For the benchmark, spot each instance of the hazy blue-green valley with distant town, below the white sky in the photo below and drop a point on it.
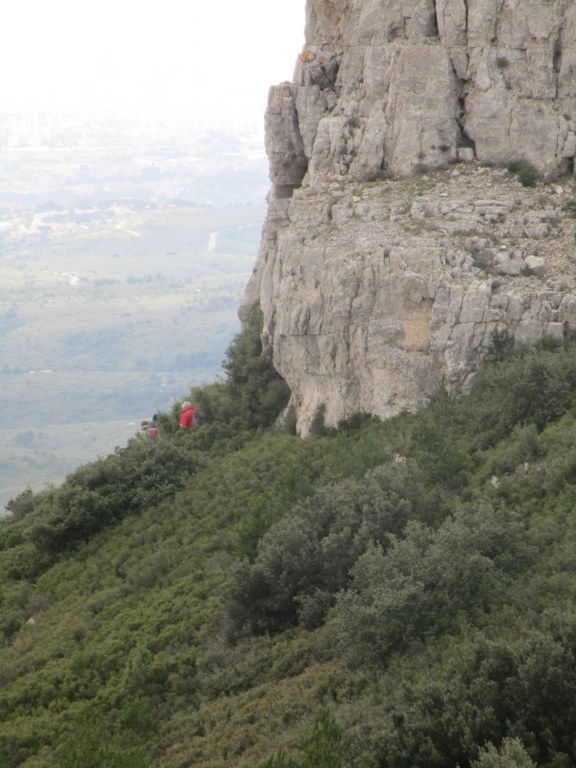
(121, 269)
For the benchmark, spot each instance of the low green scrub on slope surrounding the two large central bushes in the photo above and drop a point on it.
(129, 624)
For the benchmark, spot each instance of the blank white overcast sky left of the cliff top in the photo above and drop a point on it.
(180, 58)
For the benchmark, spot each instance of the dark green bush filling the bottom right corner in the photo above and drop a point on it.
(515, 685)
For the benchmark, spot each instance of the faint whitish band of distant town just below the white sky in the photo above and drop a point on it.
(63, 164)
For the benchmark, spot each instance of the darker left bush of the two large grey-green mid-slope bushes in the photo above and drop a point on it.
(305, 558)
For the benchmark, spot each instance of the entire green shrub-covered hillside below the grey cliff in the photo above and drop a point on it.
(388, 594)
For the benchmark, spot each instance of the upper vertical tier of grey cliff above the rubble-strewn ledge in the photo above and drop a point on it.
(400, 84)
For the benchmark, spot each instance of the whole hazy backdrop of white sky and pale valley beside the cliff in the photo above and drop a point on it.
(132, 194)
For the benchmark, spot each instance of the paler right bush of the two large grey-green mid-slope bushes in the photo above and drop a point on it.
(416, 588)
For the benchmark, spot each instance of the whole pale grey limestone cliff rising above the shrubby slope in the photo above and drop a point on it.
(395, 244)
